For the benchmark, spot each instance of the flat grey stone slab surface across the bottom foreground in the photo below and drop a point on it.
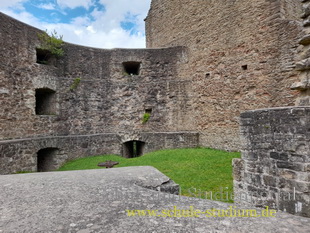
(98, 200)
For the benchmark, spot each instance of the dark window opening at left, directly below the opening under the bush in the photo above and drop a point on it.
(45, 101)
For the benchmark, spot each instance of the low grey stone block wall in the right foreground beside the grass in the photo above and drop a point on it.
(275, 167)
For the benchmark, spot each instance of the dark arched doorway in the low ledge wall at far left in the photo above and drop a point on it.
(47, 159)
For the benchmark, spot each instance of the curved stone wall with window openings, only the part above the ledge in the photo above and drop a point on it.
(104, 101)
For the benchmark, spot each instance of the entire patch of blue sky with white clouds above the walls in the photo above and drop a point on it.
(95, 23)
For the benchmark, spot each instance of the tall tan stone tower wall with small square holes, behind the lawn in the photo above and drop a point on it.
(241, 56)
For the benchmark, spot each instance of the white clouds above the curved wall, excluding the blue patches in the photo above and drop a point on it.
(103, 31)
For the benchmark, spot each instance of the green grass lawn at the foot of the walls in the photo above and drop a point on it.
(205, 170)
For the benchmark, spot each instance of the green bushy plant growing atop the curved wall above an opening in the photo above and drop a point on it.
(52, 43)
